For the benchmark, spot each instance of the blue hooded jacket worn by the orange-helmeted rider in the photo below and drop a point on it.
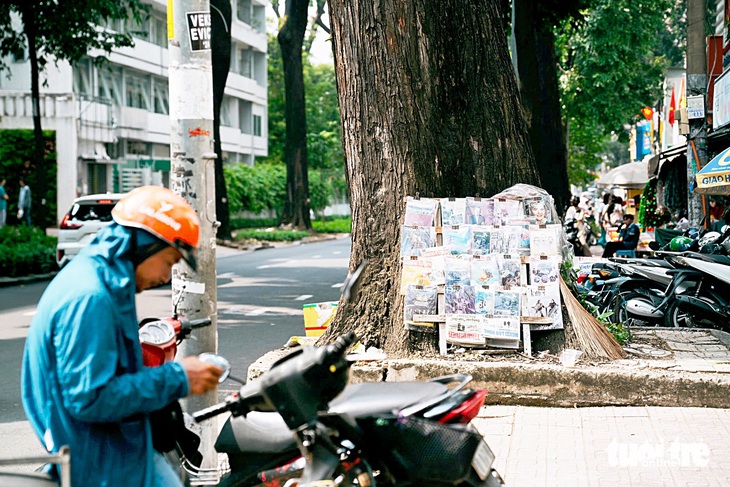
(83, 381)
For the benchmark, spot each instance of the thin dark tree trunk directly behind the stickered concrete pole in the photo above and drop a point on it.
(221, 60)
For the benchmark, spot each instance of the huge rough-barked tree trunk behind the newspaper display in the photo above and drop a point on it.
(429, 105)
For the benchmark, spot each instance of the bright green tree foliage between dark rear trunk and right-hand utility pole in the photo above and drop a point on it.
(612, 59)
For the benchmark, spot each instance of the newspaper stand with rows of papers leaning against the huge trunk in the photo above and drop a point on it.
(515, 327)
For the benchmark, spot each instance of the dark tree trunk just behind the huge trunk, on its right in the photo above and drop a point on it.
(538, 81)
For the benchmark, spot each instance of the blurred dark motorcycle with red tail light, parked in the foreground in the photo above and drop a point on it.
(384, 434)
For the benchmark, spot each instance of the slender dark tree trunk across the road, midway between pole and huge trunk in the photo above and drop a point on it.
(291, 40)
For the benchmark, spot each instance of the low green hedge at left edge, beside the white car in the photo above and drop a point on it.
(25, 251)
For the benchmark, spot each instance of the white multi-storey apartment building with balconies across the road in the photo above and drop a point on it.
(112, 123)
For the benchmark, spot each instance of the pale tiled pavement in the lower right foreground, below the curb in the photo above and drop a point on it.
(609, 446)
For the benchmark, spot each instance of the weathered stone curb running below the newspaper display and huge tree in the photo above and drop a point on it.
(548, 385)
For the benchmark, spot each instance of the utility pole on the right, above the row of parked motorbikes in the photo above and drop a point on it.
(696, 85)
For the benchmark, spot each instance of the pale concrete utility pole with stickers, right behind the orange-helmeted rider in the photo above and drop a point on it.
(193, 177)
